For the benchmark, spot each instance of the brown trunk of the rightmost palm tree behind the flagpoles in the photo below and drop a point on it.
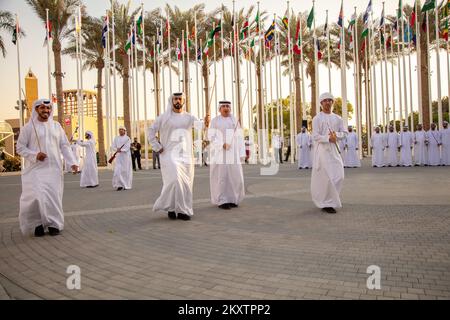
(424, 71)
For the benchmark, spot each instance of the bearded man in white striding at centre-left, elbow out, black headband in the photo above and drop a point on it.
(176, 156)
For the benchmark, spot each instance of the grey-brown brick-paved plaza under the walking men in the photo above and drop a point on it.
(276, 245)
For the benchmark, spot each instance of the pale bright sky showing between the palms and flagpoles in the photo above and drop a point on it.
(33, 54)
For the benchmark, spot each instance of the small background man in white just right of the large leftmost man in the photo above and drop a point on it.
(89, 172)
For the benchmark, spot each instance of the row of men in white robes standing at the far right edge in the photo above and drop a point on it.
(421, 148)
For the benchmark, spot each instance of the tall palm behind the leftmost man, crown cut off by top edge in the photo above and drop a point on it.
(60, 14)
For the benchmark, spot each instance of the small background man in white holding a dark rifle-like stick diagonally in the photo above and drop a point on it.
(123, 168)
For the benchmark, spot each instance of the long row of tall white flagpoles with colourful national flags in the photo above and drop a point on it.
(242, 41)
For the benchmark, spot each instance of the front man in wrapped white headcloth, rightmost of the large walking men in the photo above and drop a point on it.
(328, 169)
